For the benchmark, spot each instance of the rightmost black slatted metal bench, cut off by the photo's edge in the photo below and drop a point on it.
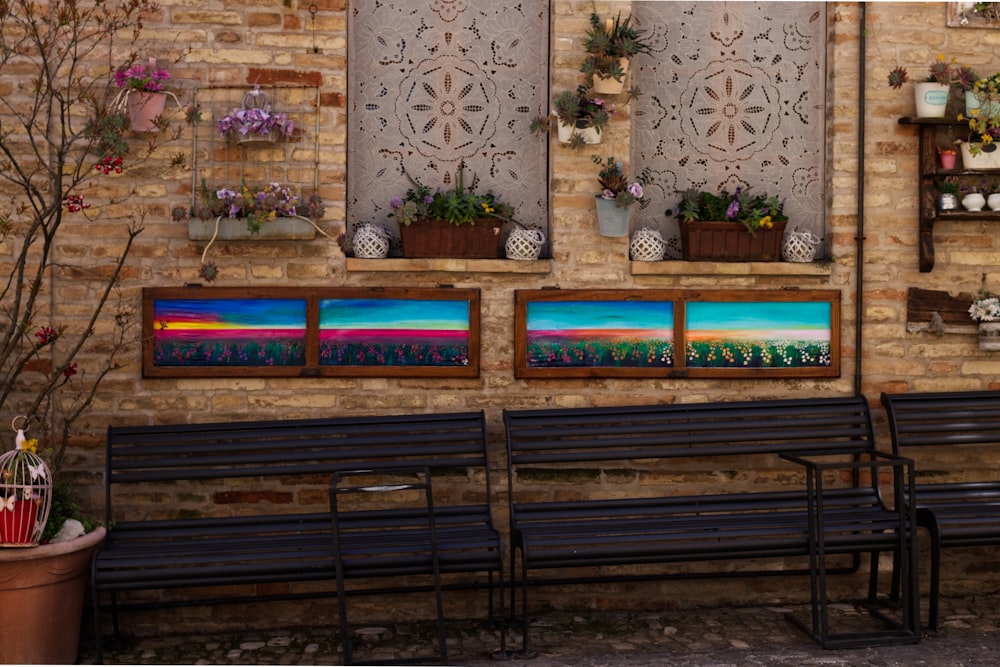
(955, 513)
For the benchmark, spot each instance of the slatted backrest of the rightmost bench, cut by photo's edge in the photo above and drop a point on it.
(942, 419)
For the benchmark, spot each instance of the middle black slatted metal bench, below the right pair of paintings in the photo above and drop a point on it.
(754, 447)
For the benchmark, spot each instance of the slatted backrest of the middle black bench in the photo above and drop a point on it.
(551, 438)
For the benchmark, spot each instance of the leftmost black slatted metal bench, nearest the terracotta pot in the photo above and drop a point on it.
(277, 469)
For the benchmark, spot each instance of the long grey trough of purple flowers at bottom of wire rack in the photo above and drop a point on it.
(273, 211)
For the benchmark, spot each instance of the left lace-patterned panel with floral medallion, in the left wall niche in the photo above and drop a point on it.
(433, 84)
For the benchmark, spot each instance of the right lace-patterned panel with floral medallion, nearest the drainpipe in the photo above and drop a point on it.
(733, 95)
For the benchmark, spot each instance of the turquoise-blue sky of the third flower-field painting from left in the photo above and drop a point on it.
(572, 315)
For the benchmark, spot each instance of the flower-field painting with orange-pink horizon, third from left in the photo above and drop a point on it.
(599, 334)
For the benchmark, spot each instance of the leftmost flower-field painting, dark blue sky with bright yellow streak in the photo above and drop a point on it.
(229, 332)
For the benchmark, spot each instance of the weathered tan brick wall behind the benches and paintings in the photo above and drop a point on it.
(212, 42)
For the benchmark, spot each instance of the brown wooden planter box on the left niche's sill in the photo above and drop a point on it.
(433, 237)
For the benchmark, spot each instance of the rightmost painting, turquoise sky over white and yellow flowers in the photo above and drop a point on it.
(788, 334)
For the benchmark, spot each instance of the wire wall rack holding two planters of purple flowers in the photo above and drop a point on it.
(256, 156)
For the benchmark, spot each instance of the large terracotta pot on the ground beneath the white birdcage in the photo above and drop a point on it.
(41, 600)
